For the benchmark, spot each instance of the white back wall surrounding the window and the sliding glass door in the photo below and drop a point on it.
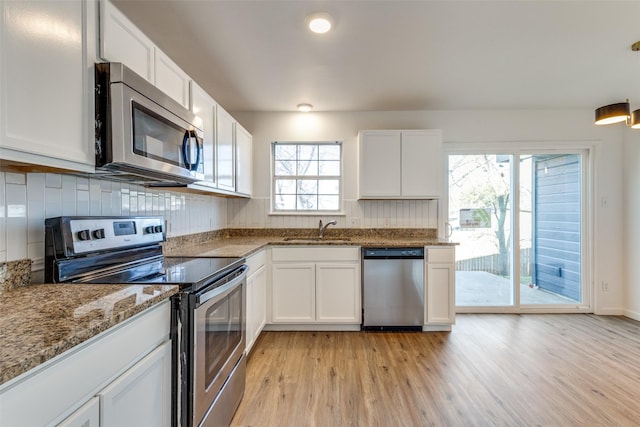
(531, 128)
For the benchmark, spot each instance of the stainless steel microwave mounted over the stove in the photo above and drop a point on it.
(142, 135)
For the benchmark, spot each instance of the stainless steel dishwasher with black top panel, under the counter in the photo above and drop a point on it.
(393, 288)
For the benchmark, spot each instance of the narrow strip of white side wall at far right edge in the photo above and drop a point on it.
(631, 223)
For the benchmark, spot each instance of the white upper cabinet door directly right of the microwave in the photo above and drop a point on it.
(203, 106)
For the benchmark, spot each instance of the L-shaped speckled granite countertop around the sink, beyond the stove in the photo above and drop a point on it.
(244, 242)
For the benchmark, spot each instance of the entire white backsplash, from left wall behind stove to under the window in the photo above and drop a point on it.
(26, 199)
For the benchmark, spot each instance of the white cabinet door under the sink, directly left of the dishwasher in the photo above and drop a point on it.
(338, 293)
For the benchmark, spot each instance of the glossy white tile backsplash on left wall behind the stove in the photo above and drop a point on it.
(27, 199)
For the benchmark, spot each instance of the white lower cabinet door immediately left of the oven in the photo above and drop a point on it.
(142, 395)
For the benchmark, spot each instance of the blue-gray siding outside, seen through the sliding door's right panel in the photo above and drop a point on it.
(557, 224)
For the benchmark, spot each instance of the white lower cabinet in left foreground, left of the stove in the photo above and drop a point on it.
(121, 377)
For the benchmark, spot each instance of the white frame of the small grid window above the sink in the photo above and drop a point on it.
(340, 178)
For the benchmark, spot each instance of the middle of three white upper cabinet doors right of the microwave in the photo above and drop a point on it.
(225, 155)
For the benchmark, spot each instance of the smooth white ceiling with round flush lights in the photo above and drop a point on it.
(402, 55)
